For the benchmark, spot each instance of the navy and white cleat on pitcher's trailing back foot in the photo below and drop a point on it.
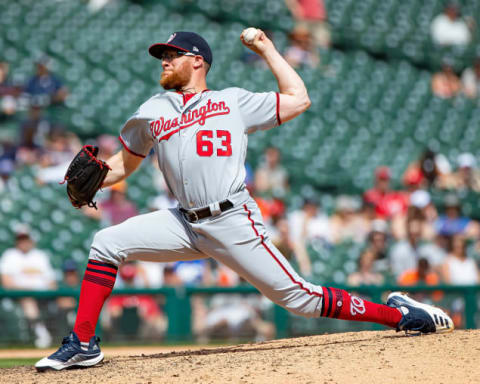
(418, 317)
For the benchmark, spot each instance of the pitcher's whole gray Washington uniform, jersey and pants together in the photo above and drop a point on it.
(201, 144)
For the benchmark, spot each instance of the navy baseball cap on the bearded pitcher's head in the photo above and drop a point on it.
(184, 41)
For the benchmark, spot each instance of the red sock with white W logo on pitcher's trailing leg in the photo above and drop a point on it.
(339, 304)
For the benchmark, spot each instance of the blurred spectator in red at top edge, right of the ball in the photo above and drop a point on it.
(312, 16)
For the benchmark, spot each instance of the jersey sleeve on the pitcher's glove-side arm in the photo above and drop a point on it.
(135, 135)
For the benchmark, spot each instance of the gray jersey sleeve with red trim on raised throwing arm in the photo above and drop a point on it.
(259, 110)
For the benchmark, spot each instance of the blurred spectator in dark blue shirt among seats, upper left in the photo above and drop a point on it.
(45, 88)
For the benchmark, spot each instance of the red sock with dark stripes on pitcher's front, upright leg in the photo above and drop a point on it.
(97, 285)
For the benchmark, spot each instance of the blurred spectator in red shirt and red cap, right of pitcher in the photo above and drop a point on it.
(387, 203)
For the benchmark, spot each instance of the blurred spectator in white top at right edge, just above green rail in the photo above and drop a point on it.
(459, 268)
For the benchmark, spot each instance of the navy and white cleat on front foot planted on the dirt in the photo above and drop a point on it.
(71, 355)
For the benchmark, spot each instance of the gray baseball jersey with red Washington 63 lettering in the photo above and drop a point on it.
(200, 144)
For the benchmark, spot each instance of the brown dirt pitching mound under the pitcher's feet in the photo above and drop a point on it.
(362, 357)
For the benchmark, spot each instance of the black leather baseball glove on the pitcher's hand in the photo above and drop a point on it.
(85, 176)
